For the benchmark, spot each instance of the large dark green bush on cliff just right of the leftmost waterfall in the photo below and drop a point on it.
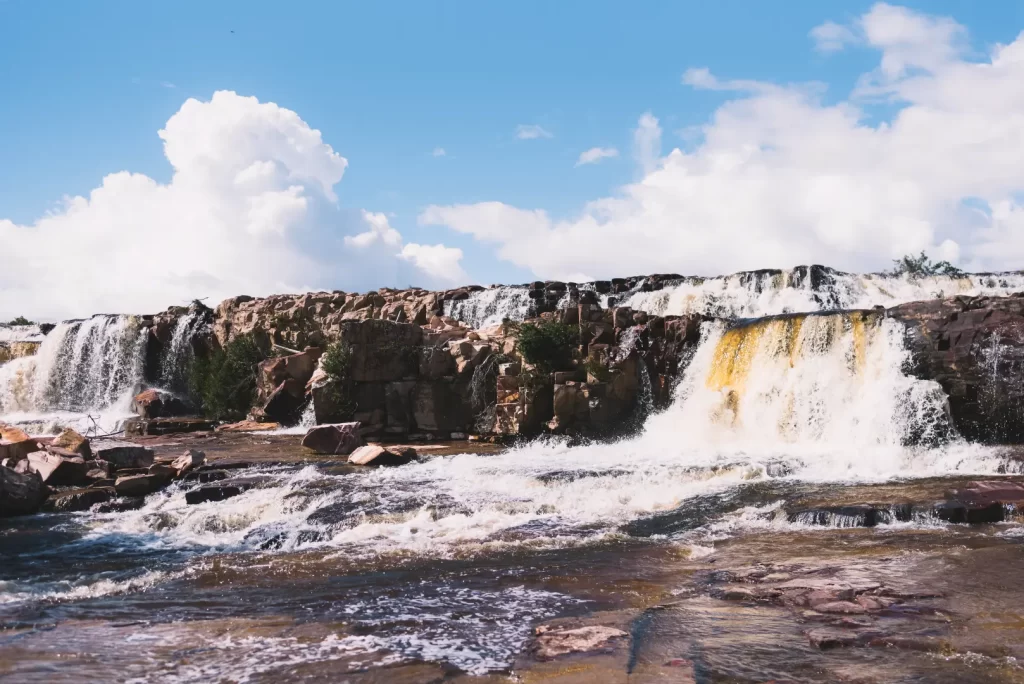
(225, 382)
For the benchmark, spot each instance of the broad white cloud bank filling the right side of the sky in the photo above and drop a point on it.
(781, 178)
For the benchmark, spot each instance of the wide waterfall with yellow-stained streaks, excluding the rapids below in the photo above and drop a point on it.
(833, 379)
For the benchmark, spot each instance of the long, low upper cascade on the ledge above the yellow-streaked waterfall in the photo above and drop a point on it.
(756, 294)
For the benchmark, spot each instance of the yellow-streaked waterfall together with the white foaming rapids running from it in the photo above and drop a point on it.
(826, 403)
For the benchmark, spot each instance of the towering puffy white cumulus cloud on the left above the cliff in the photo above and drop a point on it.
(251, 209)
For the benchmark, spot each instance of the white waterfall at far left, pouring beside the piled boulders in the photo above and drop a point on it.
(83, 376)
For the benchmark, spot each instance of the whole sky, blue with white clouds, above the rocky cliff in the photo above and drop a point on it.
(156, 153)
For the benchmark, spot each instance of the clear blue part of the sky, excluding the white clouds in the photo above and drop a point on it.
(87, 89)
